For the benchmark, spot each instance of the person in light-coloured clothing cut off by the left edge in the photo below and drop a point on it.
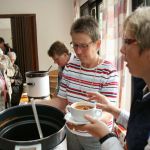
(6, 71)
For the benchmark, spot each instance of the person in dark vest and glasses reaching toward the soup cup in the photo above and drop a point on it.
(136, 53)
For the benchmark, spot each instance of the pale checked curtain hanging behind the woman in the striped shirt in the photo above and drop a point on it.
(114, 13)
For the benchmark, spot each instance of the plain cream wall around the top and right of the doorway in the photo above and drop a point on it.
(53, 18)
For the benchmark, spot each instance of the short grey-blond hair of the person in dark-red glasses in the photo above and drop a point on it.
(138, 24)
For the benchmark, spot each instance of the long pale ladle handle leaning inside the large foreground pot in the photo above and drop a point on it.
(36, 118)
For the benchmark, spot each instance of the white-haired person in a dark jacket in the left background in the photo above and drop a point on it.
(16, 81)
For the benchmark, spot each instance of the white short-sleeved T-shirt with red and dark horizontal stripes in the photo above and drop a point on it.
(77, 80)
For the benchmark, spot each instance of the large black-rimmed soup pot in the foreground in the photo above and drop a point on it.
(18, 130)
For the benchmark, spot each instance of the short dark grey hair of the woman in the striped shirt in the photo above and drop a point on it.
(87, 25)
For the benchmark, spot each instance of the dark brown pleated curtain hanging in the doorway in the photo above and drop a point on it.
(25, 42)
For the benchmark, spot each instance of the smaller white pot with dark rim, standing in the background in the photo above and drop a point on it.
(38, 85)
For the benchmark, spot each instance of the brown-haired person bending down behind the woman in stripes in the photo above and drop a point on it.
(61, 56)
